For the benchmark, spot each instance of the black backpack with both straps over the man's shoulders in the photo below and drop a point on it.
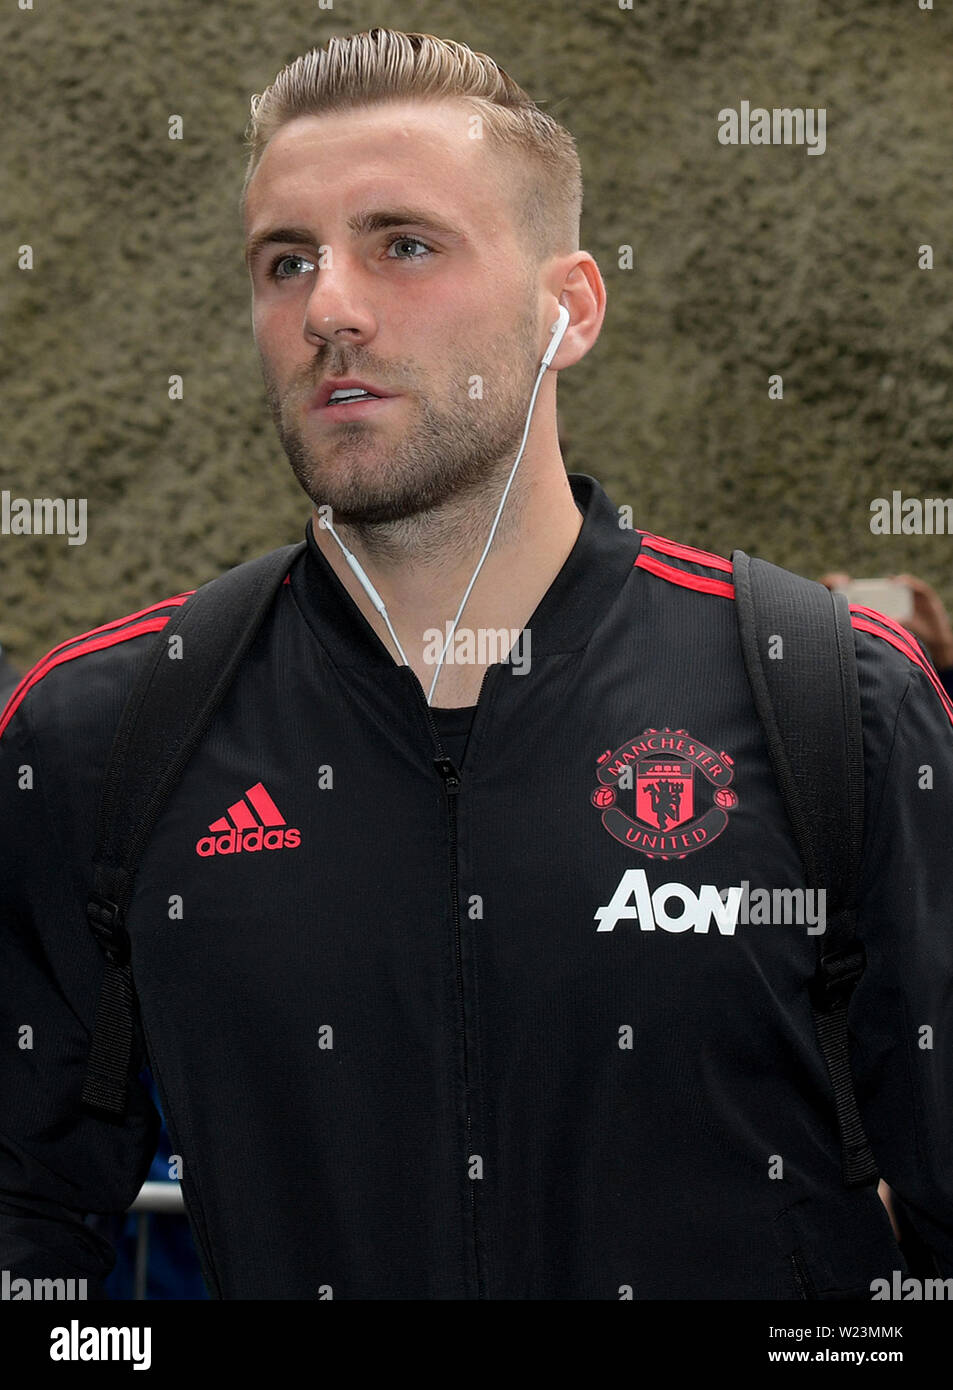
(808, 703)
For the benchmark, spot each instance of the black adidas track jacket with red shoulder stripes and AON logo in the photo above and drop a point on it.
(494, 1039)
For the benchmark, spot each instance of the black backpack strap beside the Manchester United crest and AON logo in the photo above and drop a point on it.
(809, 705)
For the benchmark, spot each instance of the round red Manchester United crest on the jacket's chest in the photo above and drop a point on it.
(679, 789)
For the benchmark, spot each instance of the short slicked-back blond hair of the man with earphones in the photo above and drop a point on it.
(381, 66)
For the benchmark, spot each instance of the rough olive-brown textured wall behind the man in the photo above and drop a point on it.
(747, 262)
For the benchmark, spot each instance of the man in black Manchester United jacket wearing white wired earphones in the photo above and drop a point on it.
(438, 1003)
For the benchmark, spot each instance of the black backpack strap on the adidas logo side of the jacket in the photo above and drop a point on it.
(167, 714)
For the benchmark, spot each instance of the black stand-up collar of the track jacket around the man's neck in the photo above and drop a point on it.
(576, 603)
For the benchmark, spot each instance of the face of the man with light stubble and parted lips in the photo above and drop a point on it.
(438, 308)
